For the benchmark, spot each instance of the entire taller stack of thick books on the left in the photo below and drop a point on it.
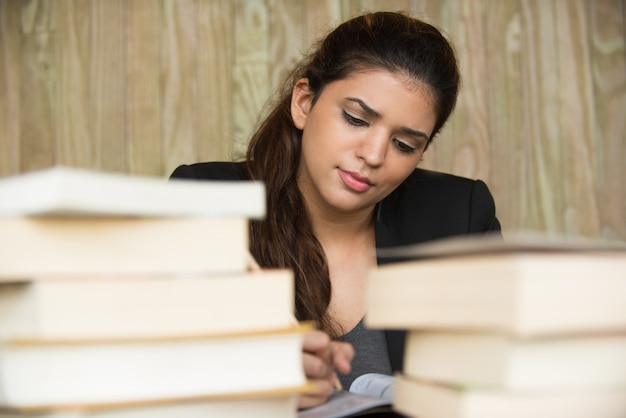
(126, 296)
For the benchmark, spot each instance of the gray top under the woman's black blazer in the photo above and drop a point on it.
(370, 353)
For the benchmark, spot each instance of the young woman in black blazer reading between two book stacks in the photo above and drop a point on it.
(338, 154)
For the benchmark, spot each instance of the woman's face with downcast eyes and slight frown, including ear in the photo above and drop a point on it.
(363, 136)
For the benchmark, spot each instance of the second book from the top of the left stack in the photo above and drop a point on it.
(33, 246)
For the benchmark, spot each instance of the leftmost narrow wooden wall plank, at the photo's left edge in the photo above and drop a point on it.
(9, 87)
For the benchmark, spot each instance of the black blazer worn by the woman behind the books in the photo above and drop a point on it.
(429, 205)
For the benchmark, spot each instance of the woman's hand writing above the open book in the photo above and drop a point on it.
(322, 358)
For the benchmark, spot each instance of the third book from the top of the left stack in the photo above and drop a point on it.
(108, 306)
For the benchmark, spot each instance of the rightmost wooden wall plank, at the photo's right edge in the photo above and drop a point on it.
(607, 32)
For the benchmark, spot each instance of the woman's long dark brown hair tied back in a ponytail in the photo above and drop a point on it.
(383, 40)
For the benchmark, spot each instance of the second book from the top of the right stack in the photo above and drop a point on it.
(584, 362)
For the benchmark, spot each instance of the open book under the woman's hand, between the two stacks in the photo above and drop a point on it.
(369, 394)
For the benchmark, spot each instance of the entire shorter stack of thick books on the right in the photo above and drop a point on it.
(506, 328)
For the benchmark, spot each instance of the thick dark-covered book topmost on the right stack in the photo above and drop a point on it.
(529, 290)
